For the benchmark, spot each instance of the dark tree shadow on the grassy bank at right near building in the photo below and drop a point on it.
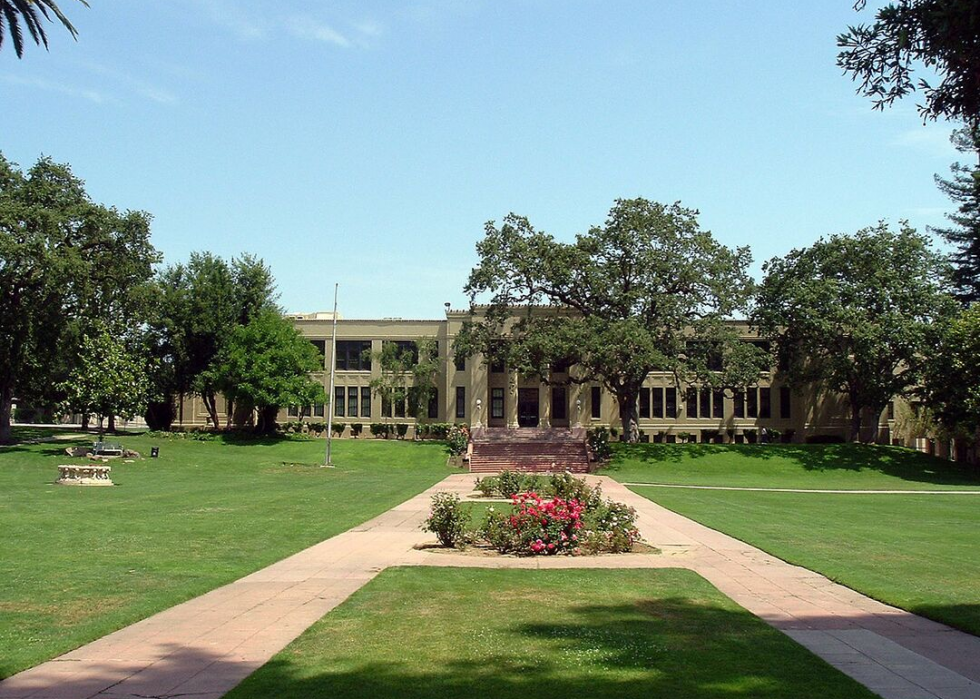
(899, 462)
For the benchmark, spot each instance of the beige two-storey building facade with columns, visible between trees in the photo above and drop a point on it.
(469, 391)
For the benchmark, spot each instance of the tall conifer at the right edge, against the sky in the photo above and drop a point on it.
(964, 233)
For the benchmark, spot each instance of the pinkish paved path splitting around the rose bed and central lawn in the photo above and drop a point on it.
(206, 646)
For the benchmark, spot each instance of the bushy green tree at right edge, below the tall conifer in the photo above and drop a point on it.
(951, 384)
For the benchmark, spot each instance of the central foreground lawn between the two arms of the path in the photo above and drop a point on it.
(519, 633)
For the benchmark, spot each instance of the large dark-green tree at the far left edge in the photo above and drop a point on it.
(65, 264)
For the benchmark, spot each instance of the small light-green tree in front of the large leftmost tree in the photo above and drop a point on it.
(108, 380)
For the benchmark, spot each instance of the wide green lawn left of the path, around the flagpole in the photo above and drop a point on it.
(80, 562)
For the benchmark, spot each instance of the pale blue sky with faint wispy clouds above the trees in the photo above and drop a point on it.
(366, 143)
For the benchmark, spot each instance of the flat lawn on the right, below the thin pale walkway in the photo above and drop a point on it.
(917, 552)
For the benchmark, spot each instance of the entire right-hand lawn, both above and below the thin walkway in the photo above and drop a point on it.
(918, 552)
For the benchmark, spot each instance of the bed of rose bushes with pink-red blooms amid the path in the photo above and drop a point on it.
(573, 520)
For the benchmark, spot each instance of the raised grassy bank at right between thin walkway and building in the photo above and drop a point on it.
(830, 466)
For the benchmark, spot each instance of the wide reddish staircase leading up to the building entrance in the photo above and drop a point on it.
(528, 449)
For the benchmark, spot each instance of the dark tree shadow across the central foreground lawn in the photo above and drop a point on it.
(655, 648)
